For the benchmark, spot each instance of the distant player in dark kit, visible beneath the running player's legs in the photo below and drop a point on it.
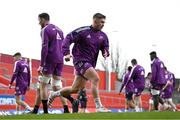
(82, 97)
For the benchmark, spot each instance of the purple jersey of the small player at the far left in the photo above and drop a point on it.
(21, 74)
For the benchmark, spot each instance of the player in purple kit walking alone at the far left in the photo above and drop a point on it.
(21, 75)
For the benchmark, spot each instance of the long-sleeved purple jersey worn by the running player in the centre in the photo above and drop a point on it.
(87, 43)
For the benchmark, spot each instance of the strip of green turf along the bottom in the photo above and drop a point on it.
(102, 116)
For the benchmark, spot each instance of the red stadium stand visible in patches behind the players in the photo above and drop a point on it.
(109, 99)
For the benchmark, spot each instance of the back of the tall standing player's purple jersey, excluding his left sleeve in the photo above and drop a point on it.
(55, 37)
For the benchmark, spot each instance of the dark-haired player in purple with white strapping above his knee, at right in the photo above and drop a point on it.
(158, 79)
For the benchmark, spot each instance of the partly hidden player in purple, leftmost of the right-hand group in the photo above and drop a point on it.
(129, 89)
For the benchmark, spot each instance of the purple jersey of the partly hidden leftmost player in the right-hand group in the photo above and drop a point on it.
(129, 83)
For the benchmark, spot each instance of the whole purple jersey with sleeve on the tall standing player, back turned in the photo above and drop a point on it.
(52, 38)
